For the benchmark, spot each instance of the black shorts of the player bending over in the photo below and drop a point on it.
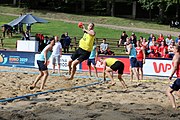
(118, 65)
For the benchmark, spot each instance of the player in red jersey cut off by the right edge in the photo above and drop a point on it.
(175, 87)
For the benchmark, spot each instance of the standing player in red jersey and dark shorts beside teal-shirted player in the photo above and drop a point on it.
(140, 58)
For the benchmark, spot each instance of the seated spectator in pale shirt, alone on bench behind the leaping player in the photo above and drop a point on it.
(103, 47)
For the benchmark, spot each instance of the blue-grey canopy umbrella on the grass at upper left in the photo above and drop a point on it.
(27, 19)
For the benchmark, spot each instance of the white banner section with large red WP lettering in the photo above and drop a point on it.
(158, 67)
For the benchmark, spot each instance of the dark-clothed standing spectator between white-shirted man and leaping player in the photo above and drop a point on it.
(67, 41)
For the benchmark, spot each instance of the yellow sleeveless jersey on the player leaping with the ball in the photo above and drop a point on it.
(86, 43)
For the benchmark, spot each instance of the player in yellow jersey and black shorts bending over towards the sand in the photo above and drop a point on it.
(110, 65)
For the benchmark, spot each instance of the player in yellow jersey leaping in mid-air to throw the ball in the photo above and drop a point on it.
(84, 50)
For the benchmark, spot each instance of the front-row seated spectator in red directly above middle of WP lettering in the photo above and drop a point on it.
(163, 50)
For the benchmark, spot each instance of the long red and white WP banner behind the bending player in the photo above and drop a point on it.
(156, 67)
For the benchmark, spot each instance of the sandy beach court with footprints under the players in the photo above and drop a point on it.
(144, 101)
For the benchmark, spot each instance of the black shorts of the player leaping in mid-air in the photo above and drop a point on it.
(80, 54)
